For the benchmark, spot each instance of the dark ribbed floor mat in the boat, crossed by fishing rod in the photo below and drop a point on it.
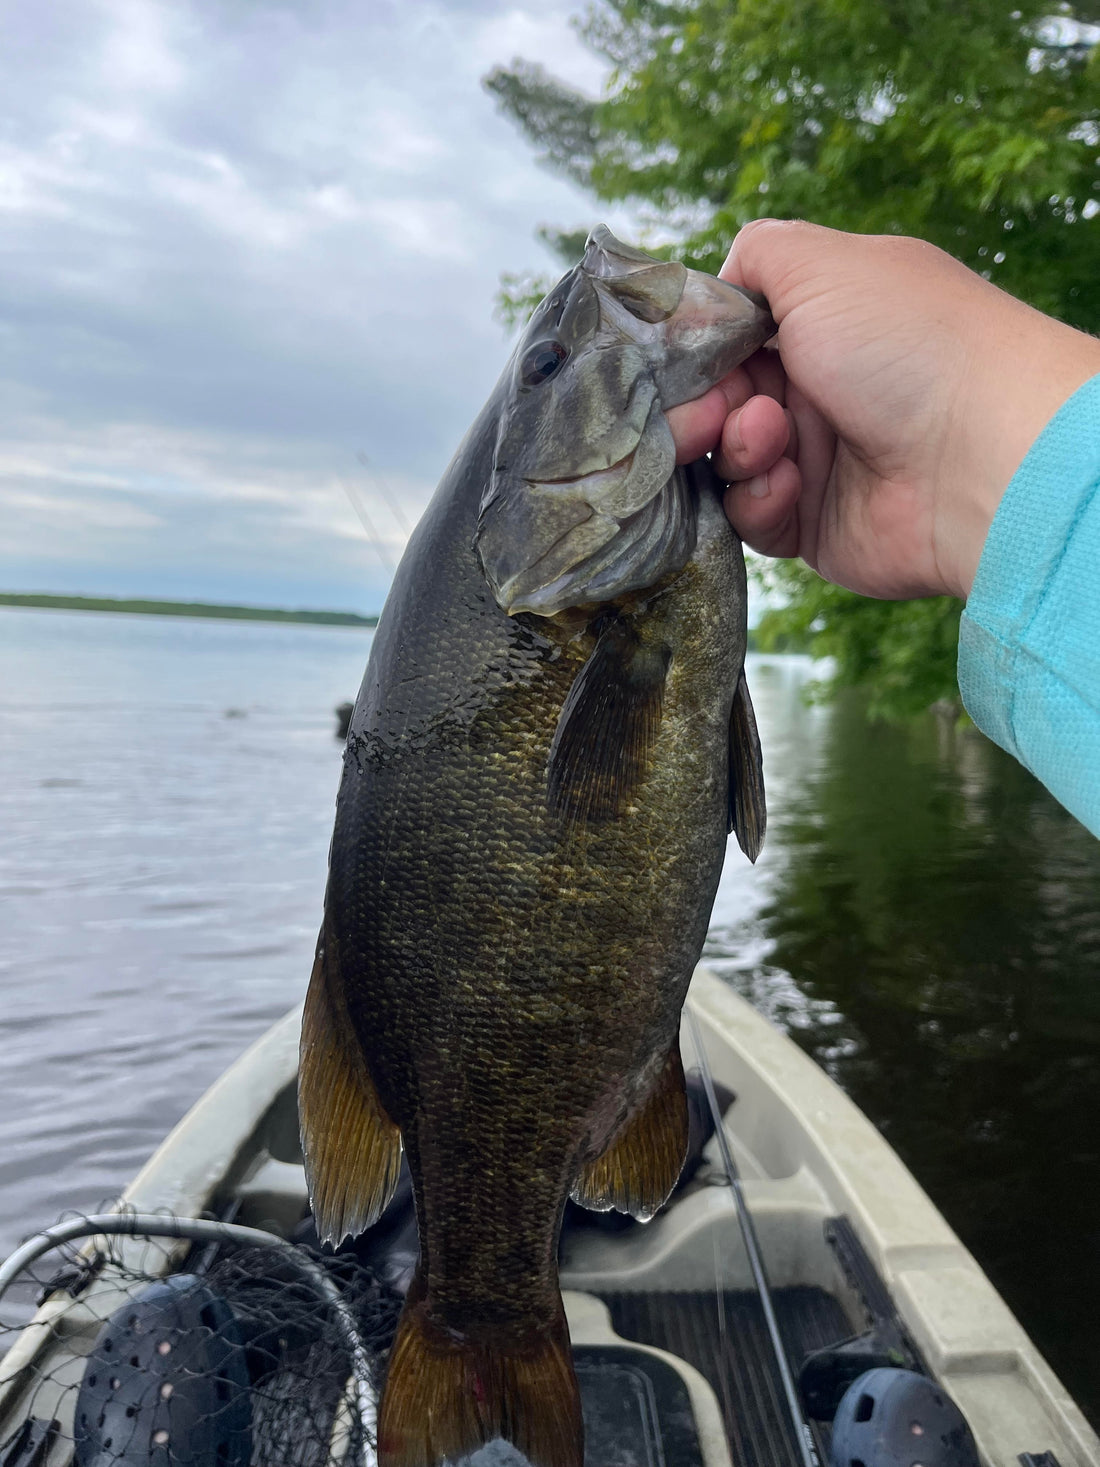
(731, 1347)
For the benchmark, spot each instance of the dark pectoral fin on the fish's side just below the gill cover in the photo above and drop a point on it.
(608, 728)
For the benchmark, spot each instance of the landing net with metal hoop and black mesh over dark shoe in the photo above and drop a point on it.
(144, 1350)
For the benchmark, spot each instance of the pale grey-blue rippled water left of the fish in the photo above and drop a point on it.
(162, 866)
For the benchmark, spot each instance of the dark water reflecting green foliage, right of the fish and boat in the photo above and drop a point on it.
(929, 929)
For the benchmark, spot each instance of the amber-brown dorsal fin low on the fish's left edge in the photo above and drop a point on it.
(351, 1146)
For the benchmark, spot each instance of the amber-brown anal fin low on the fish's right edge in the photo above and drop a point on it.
(646, 1158)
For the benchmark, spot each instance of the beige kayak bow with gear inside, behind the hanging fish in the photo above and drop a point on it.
(797, 1255)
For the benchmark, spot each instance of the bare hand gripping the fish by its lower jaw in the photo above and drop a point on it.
(878, 442)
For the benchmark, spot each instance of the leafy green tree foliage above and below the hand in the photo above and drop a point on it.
(975, 127)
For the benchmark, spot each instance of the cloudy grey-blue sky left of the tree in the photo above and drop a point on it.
(249, 253)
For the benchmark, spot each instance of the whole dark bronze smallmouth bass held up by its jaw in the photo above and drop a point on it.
(551, 746)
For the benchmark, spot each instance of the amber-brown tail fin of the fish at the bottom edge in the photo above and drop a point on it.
(448, 1396)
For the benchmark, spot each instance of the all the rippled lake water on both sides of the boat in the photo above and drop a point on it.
(925, 921)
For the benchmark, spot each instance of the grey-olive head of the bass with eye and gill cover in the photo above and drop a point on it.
(583, 504)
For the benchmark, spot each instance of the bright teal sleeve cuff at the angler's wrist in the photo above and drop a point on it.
(1030, 636)
